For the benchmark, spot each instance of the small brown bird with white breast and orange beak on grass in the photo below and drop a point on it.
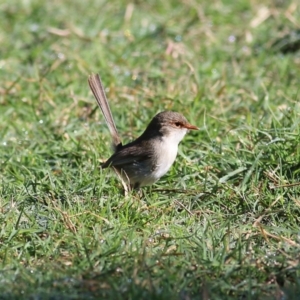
(145, 160)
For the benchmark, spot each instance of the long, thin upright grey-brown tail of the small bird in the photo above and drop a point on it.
(99, 93)
